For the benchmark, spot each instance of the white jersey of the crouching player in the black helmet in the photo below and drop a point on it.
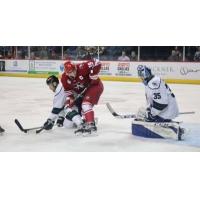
(58, 102)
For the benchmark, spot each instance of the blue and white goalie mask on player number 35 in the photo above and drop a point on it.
(144, 73)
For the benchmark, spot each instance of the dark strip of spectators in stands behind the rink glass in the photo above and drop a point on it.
(120, 53)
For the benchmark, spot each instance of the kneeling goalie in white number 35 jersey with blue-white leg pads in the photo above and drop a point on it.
(155, 121)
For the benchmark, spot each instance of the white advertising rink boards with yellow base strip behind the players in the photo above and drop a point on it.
(172, 72)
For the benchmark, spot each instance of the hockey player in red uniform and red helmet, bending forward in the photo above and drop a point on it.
(82, 79)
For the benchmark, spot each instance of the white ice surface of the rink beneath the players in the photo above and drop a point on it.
(30, 101)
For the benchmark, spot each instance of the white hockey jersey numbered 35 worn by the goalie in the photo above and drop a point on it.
(160, 98)
